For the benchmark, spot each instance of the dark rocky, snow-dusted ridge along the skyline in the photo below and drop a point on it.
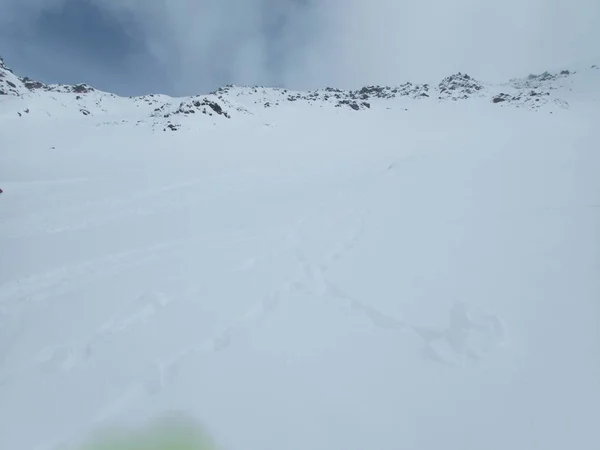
(534, 92)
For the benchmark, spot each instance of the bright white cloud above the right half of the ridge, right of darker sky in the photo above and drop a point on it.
(390, 41)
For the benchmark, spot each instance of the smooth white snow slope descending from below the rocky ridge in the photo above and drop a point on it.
(418, 274)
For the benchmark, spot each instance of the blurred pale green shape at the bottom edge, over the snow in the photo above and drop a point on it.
(164, 434)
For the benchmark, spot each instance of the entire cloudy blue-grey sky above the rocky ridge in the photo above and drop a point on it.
(182, 47)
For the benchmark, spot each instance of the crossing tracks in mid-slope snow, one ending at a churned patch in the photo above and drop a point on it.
(471, 333)
